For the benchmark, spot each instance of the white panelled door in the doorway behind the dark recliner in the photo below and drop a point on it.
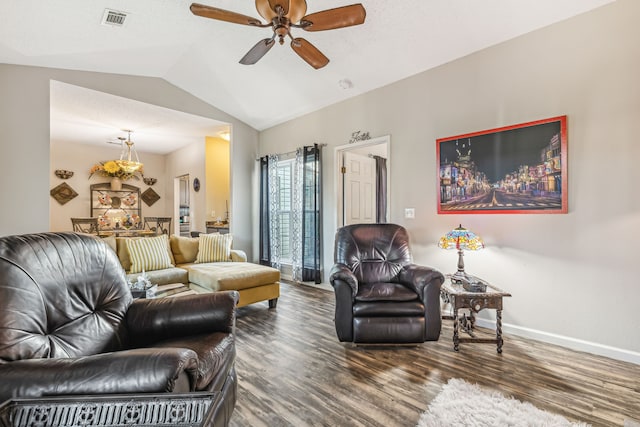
(359, 177)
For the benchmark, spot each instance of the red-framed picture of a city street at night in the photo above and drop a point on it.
(513, 169)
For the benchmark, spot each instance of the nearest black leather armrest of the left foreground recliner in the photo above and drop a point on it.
(144, 370)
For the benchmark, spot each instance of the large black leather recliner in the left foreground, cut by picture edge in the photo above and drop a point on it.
(69, 326)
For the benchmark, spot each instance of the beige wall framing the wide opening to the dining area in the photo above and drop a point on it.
(25, 145)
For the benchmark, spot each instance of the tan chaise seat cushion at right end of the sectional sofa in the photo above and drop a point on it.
(222, 276)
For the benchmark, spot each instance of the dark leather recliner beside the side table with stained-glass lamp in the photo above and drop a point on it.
(381, 296)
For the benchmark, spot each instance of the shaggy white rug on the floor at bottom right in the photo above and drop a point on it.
(463, 404)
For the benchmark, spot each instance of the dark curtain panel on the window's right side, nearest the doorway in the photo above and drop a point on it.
(312, 214)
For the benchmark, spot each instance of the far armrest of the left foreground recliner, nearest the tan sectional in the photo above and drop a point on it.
(152, 320)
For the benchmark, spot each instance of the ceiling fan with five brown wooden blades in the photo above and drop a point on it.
(282, 15)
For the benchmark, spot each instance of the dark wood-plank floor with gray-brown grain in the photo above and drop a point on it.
(292, 371)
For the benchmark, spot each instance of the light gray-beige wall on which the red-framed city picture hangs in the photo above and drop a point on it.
(571, 275)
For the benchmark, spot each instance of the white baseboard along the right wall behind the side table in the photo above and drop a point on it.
(572, 343)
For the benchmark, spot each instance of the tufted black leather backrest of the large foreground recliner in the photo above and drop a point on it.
(62, 295)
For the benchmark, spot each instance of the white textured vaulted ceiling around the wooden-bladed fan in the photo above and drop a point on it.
(161, 38)
